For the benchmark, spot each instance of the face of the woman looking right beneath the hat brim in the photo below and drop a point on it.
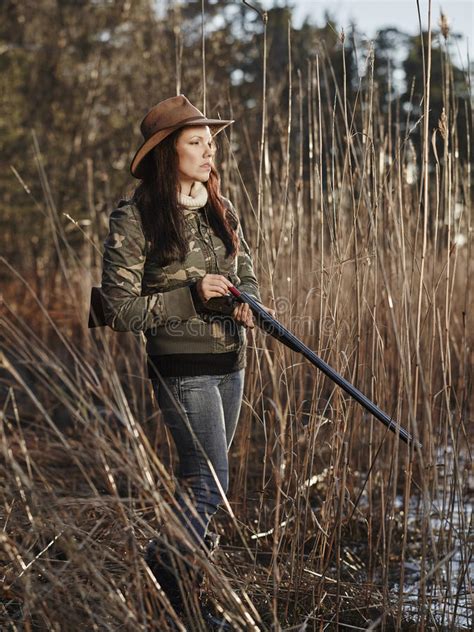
(195, 149)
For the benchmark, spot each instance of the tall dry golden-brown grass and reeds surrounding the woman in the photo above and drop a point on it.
(328, 515)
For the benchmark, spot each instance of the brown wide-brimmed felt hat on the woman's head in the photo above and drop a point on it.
(163, 119)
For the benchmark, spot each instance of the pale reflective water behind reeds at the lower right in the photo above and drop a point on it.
(449, 568)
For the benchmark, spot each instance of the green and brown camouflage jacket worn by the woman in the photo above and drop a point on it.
(140, 295)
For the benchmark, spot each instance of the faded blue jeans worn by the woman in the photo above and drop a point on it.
(201, 413)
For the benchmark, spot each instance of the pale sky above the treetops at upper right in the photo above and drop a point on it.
(371, 15)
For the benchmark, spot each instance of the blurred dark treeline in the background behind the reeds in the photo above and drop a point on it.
(77, 76)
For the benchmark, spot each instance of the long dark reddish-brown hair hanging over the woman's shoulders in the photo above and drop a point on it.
(162, 220)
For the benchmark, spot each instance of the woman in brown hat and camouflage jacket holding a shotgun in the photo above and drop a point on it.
(172, 252)
